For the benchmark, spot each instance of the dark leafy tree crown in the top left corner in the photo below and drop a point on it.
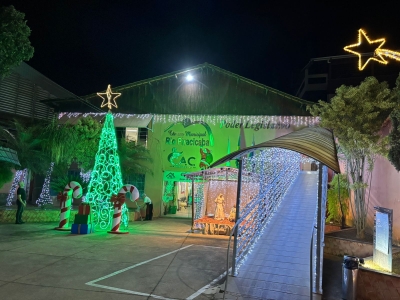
(15, 46)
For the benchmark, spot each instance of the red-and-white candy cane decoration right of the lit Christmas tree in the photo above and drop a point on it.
(119, 201)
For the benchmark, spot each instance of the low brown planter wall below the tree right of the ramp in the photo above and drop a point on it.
(340, 247)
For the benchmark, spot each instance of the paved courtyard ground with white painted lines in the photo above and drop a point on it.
(159, 259)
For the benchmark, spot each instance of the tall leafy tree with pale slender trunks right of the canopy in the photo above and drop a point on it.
(356, 114)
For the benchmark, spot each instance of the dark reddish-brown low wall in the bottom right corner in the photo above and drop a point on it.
(374, 285)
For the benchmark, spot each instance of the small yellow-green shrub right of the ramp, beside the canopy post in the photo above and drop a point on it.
(338, 196)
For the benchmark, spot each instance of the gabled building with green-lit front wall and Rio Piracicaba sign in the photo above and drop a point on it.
(189, 119)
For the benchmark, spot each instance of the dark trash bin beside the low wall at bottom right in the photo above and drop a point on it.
(349, 276)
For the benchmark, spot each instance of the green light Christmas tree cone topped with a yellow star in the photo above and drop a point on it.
(106, 178)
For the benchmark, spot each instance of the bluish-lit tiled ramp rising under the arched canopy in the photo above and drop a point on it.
(278, 267)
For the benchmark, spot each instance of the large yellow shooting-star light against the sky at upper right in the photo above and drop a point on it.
(378, 52)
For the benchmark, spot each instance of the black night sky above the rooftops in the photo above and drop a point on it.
(85, 45)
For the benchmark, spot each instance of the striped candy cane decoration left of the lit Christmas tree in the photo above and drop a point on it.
(71, 190)
